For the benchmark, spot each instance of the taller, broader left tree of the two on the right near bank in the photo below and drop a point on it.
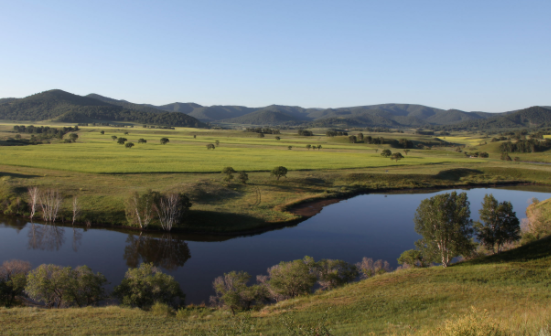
(445, 225)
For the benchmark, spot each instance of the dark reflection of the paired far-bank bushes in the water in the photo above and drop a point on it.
(167, 251)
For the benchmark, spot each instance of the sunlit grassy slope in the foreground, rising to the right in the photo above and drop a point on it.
(511, 287)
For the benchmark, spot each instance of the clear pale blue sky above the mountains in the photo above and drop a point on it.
(491, 56)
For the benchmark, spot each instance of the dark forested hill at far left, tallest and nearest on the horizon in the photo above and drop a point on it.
(58, 105)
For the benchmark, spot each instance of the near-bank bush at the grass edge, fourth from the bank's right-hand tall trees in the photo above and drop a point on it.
(232, 291)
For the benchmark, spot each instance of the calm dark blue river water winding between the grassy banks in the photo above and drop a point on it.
(379, 226)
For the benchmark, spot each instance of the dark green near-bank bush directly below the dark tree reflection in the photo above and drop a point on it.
(145, 285)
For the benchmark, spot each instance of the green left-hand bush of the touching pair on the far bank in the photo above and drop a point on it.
(140, 208)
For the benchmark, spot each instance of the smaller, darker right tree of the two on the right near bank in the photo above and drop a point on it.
(499, 224)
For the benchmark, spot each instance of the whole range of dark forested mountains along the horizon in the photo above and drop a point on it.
(63, 106)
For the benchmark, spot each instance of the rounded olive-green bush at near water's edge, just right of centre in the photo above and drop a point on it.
(290, 279)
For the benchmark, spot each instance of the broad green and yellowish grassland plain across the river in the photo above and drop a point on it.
(103, 174)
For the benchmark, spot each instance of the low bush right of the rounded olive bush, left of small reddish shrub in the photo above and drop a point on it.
(332, 273)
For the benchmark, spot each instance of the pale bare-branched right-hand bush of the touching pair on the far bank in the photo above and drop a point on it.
(171, 209)
